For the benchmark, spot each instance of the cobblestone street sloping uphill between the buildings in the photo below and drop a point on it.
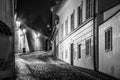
(44, 67)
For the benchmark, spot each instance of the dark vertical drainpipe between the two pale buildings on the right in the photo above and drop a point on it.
(95, 38)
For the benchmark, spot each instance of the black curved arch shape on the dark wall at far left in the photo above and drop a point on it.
(4, 29)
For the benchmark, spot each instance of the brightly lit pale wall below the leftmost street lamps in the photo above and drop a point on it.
(21, 42)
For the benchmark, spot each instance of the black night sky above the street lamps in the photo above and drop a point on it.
(36, 14)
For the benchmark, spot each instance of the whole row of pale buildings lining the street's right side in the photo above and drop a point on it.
(85, 34)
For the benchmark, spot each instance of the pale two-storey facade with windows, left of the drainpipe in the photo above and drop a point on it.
(75, 28)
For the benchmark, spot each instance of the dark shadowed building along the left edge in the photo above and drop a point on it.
(7, 38)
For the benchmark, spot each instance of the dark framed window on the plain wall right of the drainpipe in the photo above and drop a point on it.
(108, 39)
